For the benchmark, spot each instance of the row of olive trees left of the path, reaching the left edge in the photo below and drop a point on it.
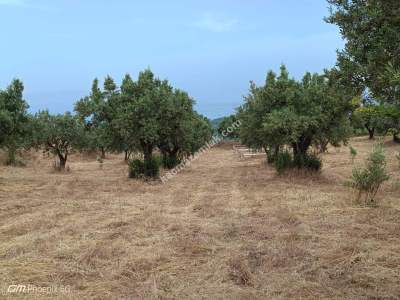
(140, 116)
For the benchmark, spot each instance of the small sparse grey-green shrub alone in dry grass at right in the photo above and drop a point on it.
(369, 179)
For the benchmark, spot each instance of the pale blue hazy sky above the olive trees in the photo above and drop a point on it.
(210, 48)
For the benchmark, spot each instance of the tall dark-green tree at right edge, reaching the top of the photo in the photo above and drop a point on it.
(370, 61)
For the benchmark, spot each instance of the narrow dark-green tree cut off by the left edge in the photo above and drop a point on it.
(14, 120)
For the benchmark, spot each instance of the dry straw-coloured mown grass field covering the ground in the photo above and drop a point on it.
(222, 229)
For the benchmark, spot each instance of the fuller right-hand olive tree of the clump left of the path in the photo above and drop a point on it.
(156, 115)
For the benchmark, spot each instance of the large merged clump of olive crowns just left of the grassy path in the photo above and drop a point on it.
(143, 116)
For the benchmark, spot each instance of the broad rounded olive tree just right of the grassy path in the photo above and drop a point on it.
(295, 114)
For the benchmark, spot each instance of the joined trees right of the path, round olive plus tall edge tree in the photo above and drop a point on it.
(361, 94)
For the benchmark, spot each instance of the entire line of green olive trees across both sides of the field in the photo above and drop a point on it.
(284, 116)
